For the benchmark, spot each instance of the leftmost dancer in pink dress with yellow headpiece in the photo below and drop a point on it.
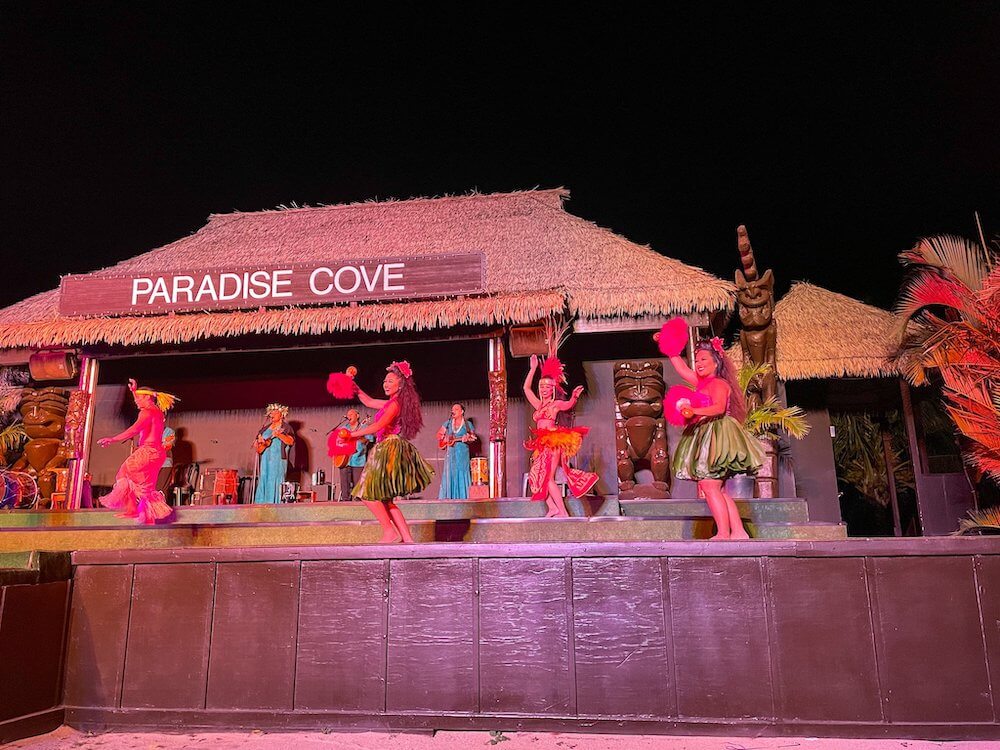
(135, 484)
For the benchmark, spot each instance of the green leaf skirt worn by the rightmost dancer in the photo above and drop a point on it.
(716, 449)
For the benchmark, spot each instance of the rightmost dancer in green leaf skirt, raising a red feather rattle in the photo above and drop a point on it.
(715, 444)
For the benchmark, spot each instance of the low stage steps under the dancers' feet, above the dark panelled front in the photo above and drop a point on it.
(505, 520)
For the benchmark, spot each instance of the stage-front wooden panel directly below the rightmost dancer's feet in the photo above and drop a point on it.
(720, 638)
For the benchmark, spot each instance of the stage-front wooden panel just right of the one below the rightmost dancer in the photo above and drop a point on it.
(823, 643)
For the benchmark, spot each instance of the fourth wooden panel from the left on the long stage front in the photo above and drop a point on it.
(341, 654)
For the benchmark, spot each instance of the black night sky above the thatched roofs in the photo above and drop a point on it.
(837, 135)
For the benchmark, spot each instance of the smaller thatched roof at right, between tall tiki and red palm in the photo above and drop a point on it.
(822, 334)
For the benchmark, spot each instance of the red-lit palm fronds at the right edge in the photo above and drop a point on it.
(950, 311)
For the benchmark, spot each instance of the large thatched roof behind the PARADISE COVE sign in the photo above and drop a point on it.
(539, 259)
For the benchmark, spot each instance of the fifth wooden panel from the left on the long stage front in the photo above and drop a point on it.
(432, 655)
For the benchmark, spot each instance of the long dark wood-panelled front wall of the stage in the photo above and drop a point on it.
(850, 638)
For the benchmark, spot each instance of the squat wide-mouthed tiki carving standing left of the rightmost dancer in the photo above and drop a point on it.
(640, 430)
